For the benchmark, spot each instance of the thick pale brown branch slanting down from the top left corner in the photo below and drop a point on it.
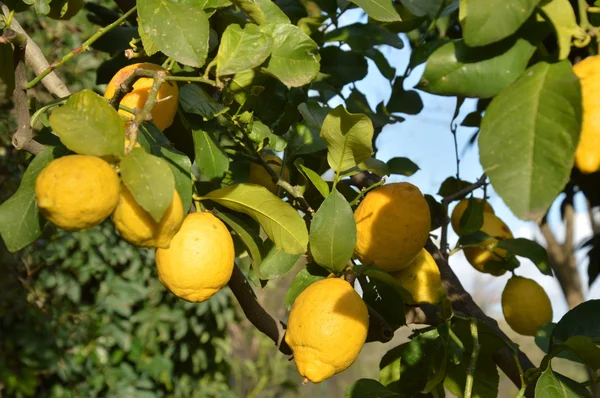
(36, 60)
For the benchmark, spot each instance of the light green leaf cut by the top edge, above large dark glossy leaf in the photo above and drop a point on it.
(492, 21)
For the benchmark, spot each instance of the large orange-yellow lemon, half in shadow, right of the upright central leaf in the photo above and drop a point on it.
(392, 225)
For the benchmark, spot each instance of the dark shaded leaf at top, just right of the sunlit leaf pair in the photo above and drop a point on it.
(363, 37)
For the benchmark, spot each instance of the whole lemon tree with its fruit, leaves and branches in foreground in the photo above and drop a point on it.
(230, 139)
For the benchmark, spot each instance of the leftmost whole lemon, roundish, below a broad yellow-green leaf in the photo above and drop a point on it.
(77, 192)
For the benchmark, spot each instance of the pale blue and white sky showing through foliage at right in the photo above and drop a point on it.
(426, 139)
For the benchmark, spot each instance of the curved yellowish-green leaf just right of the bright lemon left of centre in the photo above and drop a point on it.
(281, 222)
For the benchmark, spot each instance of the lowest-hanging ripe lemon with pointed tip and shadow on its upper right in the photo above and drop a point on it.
(327, 328)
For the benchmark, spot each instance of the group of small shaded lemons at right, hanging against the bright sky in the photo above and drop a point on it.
(525, 304)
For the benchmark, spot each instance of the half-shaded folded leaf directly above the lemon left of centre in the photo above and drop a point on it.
(151, 138)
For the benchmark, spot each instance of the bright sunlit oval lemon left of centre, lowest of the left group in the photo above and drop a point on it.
(199, 260)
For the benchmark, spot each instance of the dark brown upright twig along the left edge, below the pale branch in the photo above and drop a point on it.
(22, 139)
